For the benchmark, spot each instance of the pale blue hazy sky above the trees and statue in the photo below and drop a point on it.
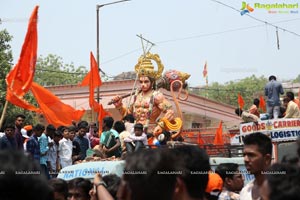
(186, 33)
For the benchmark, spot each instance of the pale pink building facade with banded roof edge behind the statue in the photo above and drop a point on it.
(198, 112)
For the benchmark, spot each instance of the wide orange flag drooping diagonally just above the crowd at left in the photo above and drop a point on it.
(55, 111)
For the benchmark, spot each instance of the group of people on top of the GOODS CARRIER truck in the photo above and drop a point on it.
(289, 107)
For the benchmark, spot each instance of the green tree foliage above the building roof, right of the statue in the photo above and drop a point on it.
(250, 88)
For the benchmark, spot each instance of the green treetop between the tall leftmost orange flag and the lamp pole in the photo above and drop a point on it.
(52, 71)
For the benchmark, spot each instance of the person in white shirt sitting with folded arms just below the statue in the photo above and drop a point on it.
(138, 140)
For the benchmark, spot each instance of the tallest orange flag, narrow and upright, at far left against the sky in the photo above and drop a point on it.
(19, 79)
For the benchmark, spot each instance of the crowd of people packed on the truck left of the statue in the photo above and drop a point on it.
(56, 148)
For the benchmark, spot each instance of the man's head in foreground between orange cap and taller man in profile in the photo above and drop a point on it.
(233, 181)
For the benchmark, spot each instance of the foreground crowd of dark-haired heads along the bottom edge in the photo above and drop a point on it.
(180, 173)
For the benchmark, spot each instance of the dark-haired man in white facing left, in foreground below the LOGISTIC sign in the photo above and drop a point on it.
(257, 158)
